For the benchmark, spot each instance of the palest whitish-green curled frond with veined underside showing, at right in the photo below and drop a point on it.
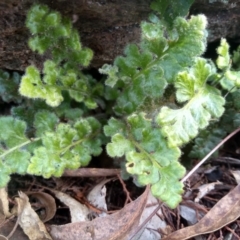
(204, 103)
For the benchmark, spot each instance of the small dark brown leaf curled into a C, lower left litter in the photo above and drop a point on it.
(47, 202)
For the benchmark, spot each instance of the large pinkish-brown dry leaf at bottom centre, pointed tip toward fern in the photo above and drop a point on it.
(113, 227)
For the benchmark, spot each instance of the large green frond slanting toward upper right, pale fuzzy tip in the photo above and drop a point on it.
(145, 70)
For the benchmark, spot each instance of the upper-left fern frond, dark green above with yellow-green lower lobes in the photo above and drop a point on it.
(62, 73)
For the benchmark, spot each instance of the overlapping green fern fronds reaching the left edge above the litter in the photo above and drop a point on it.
(62, 145)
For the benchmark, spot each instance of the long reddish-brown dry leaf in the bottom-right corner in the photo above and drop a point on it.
(224, 212)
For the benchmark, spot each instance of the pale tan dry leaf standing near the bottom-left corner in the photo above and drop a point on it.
(29, 220)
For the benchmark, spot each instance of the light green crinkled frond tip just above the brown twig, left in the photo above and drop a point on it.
(66, 148)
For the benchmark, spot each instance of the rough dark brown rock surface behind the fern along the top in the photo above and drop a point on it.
(106, 26)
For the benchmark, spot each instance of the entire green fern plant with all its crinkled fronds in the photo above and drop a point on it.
(158, 97)
